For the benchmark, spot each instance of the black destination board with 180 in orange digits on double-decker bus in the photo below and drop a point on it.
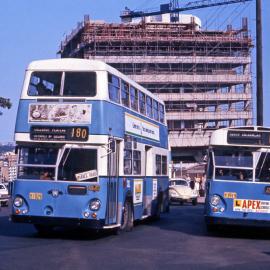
(45, 133)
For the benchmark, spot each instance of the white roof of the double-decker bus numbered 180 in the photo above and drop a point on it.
(75, 64)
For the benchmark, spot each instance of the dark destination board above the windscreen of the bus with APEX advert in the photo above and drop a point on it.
(248, 137)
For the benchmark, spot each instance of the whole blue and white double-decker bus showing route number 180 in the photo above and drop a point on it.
(92, 148)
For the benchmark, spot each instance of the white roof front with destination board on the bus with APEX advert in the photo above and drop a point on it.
(249, 136)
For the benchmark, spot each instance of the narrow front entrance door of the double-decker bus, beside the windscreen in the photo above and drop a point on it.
(113, 181)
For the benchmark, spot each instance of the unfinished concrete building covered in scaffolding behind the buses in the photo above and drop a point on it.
(203, 76)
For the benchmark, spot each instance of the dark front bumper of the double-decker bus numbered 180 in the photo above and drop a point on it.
(59, 221)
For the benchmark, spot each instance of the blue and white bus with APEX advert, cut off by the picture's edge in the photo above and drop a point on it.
(238, 177)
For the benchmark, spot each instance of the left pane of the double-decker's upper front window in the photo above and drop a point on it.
(45, 84)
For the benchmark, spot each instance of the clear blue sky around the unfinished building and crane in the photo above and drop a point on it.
(33, 29)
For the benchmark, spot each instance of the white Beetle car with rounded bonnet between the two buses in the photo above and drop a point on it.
(180, 191)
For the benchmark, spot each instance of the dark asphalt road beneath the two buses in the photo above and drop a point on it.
(178, 241)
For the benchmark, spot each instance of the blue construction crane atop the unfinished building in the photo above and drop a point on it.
(174, 9)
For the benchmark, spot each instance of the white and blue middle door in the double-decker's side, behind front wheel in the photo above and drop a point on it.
(148, 181)
